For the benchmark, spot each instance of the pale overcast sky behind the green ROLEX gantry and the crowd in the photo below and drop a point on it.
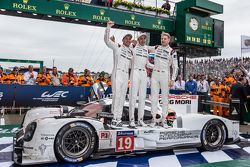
(81, 46)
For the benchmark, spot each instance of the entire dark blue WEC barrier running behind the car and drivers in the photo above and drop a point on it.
(36, 95)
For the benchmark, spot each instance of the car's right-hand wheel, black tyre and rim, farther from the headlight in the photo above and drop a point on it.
(213, 135)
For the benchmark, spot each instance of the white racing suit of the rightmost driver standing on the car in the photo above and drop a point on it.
(165, 57)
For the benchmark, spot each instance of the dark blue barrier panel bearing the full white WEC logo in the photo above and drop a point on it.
(35, 95)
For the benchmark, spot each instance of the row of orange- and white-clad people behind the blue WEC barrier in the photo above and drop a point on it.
(52, 77)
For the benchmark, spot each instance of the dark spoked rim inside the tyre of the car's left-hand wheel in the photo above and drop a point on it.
(75, 142)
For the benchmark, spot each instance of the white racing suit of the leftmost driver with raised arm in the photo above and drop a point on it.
(122, 61)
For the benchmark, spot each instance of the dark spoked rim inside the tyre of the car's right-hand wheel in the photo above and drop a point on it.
(213, 135)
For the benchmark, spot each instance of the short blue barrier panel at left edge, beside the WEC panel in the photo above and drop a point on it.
(6, 95)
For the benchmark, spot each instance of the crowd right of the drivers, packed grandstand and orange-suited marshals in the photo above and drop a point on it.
(219, 80)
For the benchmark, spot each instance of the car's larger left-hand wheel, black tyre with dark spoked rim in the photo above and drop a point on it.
(75, 142)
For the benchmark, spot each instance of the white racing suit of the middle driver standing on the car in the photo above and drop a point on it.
(138, 80)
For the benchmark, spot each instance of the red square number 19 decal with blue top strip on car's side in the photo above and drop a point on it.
(124, 141)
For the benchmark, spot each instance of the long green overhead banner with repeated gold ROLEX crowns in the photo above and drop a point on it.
(90, 13)
